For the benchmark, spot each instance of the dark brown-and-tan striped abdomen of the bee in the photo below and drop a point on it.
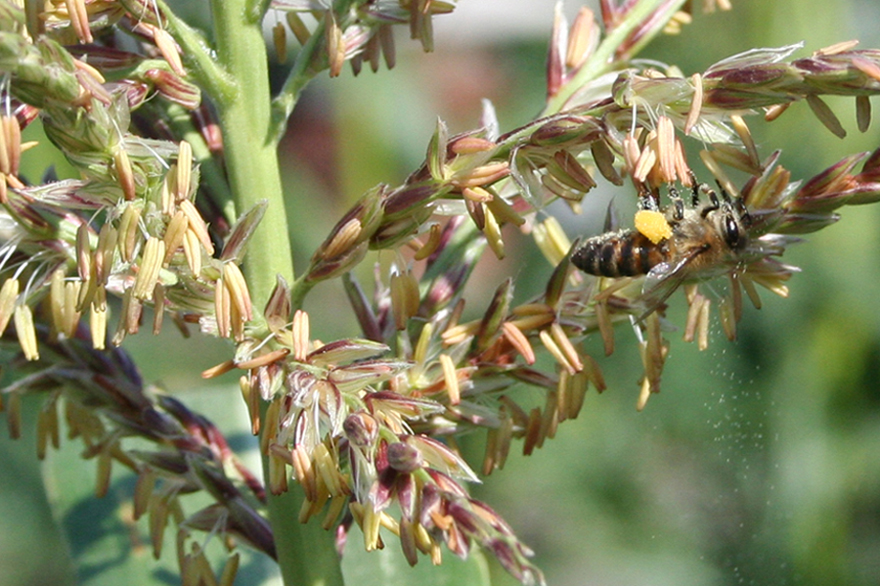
(619, 254)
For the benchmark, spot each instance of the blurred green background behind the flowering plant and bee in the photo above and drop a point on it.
(758, 464)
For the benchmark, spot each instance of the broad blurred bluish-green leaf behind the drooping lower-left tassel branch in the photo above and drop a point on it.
(107, 546)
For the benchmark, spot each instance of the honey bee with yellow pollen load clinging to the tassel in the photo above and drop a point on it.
(701, 238)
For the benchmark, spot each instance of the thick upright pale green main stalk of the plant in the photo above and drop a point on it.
(306, 553)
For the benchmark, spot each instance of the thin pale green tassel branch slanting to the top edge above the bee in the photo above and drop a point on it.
(603, 58)
